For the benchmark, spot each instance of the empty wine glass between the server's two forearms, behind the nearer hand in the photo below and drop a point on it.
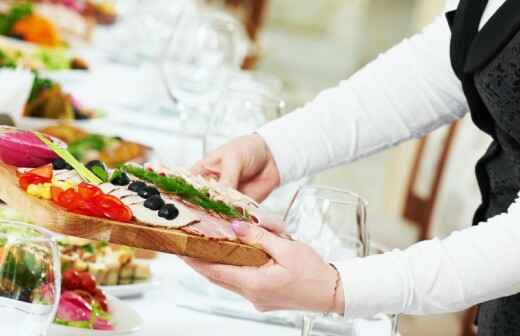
(333, 222)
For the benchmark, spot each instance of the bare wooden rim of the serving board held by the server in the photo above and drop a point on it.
(47, 214)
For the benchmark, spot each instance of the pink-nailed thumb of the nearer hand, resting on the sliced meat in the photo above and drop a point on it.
(255, 235)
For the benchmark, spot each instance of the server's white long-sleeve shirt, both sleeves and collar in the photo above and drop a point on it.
(405, 93)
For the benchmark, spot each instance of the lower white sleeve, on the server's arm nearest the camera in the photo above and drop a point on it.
(438, 276)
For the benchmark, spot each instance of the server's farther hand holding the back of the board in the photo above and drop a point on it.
(245, 164)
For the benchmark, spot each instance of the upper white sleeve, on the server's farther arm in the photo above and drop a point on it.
(405, 93)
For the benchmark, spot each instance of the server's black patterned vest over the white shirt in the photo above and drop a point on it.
(488, 64)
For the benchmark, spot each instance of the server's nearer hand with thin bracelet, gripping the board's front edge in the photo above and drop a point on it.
(296, 278)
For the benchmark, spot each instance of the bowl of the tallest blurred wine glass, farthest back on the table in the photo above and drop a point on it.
(200, 55)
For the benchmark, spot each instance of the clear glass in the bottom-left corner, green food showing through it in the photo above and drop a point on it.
(30, 279)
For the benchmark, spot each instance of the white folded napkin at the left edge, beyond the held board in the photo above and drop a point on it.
(15, 88)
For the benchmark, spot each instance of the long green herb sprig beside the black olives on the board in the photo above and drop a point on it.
(179, 186)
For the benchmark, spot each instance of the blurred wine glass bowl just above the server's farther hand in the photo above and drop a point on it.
(240, 112)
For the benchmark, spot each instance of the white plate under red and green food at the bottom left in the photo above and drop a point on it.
(124, 318)
